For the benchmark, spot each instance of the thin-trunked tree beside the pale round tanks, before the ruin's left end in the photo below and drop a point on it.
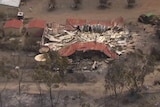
(51, 72)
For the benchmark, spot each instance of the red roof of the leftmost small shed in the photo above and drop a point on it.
(13, 24)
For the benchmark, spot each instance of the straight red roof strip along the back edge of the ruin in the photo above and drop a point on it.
(93, 25)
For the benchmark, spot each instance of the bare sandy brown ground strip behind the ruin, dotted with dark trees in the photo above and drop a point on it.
(88, 10)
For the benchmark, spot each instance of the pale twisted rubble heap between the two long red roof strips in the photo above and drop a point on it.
(116, 37)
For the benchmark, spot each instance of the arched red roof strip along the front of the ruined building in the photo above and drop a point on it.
(69, 50)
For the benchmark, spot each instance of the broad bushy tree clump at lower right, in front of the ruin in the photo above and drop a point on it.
(129, 72)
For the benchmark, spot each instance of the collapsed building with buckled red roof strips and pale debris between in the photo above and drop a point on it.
(82, 35)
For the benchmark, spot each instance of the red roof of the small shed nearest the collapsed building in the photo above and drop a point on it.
(37, 24)
